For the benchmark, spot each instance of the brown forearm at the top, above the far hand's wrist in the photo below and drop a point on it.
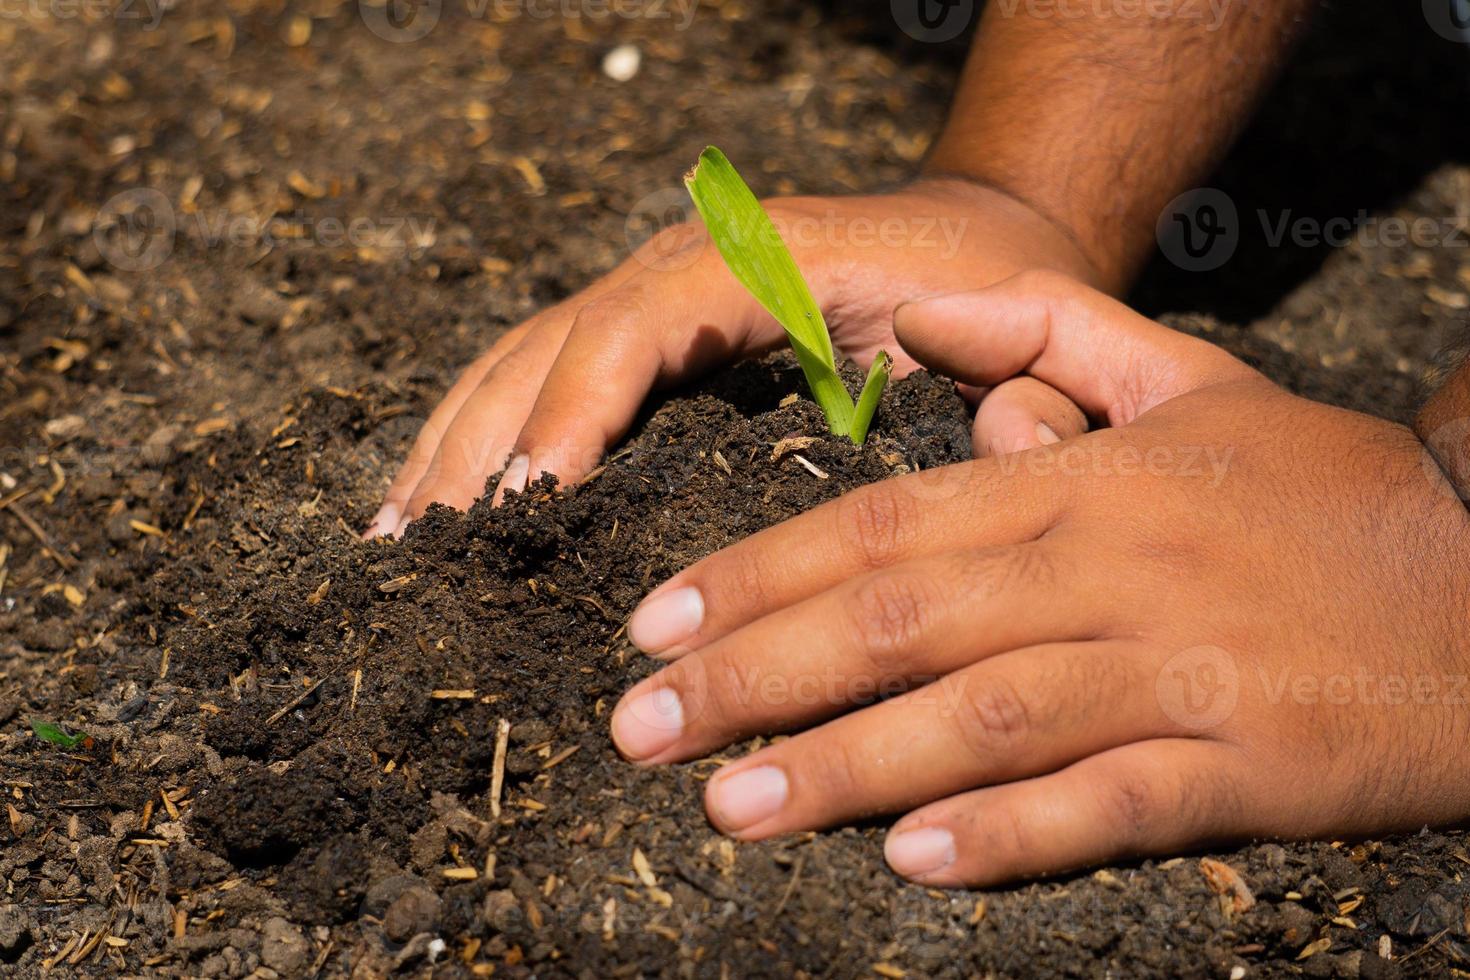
(1099, 118)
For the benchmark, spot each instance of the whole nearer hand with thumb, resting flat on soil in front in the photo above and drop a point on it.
(1234, 613)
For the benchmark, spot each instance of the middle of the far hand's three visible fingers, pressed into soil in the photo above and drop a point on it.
(478, 440)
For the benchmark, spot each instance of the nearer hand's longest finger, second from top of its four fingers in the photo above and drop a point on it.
(874, 637)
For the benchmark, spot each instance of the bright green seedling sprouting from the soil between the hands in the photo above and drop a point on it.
(755, 253)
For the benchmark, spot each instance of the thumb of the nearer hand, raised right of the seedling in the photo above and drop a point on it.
(1106, 358)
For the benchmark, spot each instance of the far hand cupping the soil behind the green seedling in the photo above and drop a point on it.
(556, 392)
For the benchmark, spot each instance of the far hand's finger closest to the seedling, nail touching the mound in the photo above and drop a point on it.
(655, 330)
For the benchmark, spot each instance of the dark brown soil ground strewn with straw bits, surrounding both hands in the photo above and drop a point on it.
(295, 732)
